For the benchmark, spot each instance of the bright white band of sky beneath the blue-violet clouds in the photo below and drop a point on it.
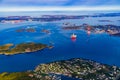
(60, 8)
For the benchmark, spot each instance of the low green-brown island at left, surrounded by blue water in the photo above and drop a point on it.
(11, 49)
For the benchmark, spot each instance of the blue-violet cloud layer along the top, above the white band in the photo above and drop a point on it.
(58, 2)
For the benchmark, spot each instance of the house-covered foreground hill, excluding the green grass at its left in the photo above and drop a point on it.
(79, 68)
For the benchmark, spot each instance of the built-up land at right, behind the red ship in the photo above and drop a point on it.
(96, 29)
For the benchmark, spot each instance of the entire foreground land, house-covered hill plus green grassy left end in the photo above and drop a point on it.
(75, 68)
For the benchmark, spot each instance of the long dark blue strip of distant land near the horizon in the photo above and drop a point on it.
(56, 17)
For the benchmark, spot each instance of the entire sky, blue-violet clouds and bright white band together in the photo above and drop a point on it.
(58, 5)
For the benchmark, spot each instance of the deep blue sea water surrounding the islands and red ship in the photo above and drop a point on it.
(102, 48)
